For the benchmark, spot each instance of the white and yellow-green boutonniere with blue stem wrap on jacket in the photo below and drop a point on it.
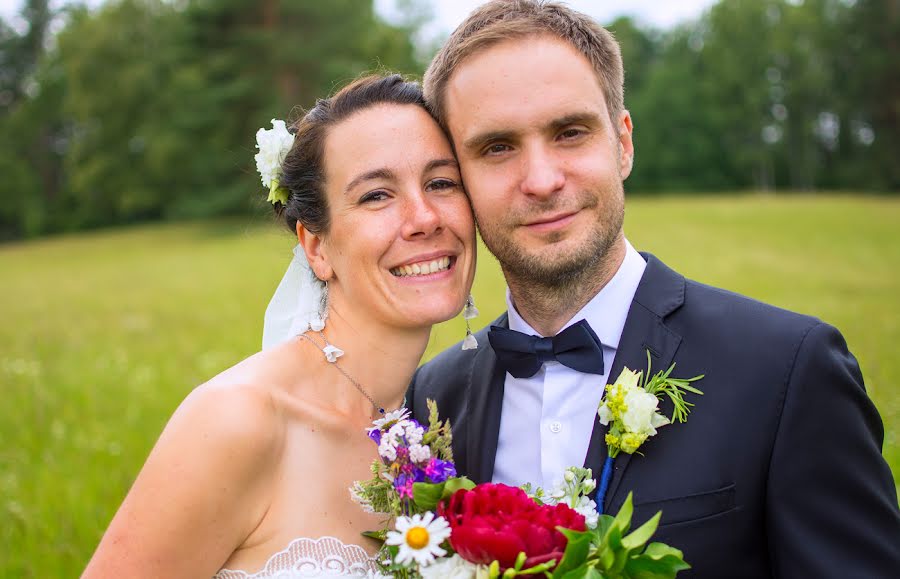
(630, 409)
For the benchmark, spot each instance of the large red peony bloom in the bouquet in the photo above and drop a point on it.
(497, 522)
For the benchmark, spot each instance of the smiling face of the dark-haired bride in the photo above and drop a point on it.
(401, 242)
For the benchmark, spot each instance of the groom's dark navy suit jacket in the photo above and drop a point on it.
(778, 472)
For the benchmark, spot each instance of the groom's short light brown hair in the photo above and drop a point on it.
(501, 20)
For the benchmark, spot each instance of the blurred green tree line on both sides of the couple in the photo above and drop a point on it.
(146, 109)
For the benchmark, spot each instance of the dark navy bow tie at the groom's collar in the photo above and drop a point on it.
(577, 347)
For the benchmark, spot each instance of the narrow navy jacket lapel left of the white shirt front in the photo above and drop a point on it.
(485, 405)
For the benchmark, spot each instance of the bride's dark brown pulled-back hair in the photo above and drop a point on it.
(303, 169)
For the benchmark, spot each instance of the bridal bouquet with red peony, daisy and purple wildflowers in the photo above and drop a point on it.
(446, 526)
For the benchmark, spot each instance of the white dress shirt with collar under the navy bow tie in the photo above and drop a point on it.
(546, 420)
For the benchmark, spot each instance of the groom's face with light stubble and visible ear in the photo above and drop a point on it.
(541, 160)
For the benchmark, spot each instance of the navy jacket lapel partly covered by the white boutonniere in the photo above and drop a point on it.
(660, 292)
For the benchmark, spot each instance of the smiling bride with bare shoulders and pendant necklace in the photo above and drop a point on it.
(250, 477)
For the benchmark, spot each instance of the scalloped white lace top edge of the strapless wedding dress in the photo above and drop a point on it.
(311, 559)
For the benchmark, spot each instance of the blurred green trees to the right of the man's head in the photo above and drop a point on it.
(767, 94)
